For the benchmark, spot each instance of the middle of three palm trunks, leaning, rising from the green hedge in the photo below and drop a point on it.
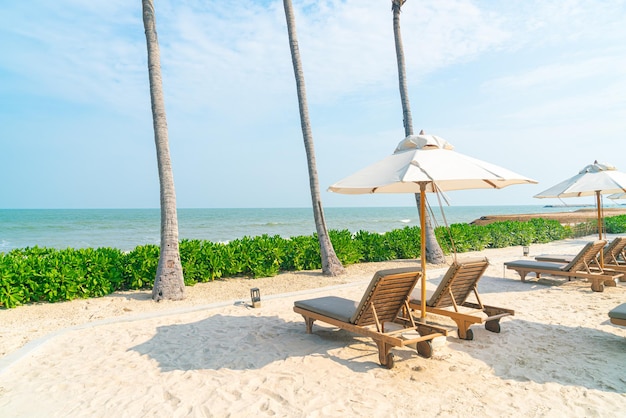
(331, 266)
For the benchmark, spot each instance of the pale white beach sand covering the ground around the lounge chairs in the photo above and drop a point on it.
(126, 356)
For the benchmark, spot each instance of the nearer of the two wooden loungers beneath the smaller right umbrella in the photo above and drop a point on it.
(583, 265)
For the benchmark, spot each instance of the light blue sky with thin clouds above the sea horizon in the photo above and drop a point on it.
(537, 87)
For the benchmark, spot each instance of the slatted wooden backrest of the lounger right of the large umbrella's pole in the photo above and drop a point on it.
(458, 282)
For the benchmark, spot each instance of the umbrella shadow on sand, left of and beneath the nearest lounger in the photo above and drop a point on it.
(251, 342)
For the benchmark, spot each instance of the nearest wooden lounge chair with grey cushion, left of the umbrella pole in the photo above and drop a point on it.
(382, 314)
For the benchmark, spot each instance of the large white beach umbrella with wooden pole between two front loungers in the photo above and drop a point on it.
(426, 163)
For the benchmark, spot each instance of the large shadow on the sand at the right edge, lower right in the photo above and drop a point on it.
(571, 356)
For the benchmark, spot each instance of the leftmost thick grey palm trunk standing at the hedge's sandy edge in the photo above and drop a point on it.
(169, 282)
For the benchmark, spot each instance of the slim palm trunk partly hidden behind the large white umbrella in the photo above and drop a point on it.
(434, 254)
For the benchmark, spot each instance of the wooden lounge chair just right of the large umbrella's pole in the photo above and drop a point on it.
(450, 298)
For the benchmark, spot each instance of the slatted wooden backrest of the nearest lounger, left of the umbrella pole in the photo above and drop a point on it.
(387, 292)
